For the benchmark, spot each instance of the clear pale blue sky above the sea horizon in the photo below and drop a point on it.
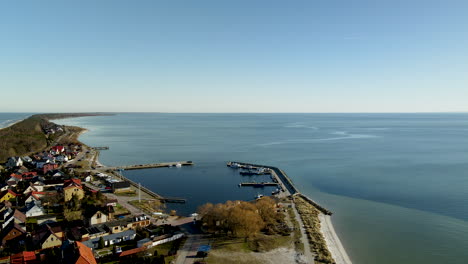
(234, 56)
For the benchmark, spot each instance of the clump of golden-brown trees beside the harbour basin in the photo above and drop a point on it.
(242, 219)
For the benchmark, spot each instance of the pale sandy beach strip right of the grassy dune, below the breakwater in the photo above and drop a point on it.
(333, 242)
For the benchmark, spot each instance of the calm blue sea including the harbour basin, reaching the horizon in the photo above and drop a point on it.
(397, 183)
